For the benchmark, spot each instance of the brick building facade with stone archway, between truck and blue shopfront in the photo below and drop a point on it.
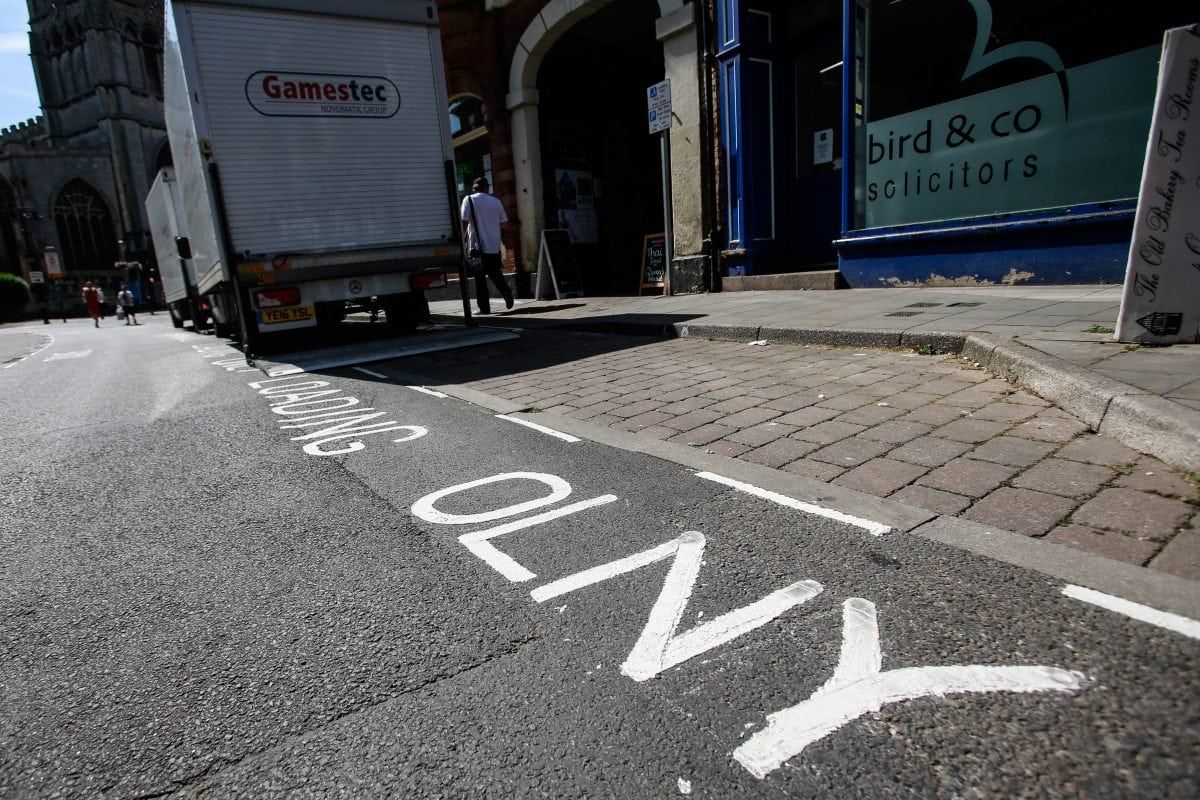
(562, 109)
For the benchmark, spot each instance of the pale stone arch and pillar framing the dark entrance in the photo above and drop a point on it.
(555, 20)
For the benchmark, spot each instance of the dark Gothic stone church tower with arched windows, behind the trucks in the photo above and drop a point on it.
(80, 175)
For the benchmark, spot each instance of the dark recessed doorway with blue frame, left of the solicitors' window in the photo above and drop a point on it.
(785, 89)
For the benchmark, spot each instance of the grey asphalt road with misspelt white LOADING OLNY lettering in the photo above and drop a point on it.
(190, 603)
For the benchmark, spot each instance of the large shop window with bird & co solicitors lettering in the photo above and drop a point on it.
(974, 109)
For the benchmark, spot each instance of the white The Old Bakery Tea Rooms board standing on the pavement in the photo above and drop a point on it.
(1162, 288)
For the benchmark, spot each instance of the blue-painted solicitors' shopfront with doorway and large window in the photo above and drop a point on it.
(934, 142)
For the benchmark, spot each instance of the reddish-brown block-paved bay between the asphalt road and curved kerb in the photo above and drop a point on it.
(928, 431)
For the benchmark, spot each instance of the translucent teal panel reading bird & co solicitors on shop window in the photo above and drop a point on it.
(1053, 141)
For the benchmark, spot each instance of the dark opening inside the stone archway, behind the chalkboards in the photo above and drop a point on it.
(601, 166)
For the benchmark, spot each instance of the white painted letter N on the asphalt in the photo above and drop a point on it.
(661, 647)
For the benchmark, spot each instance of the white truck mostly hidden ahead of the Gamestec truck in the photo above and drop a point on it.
(165, 210)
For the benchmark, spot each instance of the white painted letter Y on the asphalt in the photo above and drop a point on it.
(859, 688)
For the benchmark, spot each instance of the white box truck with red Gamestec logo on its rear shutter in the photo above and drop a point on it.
(311, 141)
